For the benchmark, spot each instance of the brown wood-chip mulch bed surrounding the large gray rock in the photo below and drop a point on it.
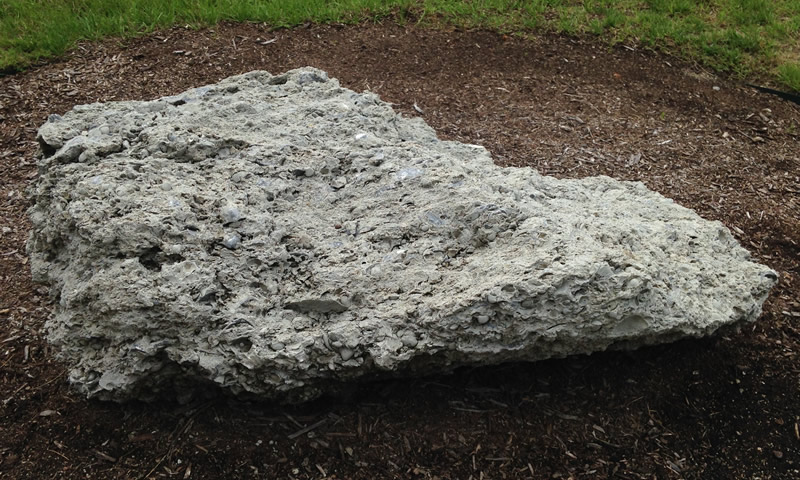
(722, 408)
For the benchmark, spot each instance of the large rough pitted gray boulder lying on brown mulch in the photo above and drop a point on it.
(279, 234)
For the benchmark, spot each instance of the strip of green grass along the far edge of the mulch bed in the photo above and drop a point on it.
(746, 37)
